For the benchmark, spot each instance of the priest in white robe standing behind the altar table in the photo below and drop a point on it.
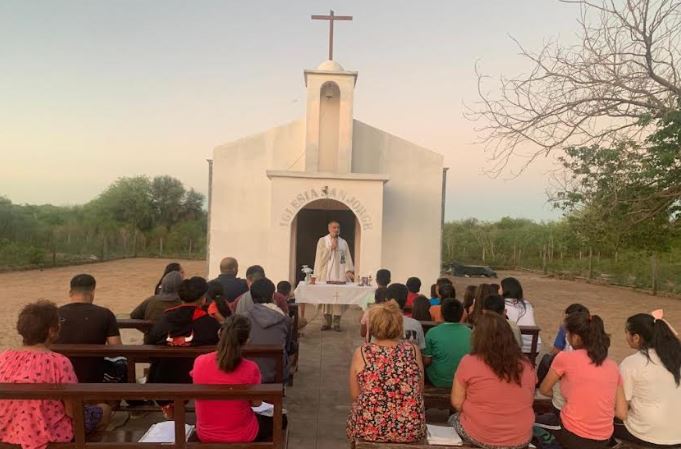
(333, 262)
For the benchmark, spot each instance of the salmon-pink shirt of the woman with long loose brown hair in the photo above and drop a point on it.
(490, 402)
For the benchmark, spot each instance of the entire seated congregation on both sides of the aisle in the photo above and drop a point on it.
(476, 354)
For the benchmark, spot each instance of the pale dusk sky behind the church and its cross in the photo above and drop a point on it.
(92, 90)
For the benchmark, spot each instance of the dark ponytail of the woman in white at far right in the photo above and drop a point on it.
(656, 334)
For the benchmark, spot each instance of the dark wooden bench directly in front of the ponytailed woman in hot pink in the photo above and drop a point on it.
(145, 353)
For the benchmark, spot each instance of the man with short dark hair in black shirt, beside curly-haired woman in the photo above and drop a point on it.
(86, 323)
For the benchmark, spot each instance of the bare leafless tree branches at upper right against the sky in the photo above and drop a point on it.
(620, 74)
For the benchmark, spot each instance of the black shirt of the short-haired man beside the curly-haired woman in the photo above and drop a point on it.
(85, 323)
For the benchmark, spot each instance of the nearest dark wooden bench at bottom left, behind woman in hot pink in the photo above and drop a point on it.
(79, 394)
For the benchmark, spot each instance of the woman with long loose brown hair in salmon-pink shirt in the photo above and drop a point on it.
(494, 382)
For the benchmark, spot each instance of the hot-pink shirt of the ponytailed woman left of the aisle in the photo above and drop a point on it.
(225, 421)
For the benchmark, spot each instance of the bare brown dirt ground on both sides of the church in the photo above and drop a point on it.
(121, 285)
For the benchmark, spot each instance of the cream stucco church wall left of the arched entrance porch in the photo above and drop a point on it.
(240, 205)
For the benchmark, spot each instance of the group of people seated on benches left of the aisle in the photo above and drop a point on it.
(226, 312)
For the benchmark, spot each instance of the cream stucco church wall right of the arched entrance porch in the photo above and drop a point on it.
(411, 201)
